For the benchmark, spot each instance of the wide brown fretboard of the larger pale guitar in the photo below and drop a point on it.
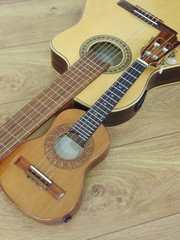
(48, 102)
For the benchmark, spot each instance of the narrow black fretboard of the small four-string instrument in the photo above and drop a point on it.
(90, 121)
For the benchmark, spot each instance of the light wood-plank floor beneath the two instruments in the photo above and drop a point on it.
(135, 192)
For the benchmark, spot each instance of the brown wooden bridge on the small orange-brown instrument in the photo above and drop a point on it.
(39, 178)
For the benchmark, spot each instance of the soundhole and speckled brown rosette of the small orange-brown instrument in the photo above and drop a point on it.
(63, 152)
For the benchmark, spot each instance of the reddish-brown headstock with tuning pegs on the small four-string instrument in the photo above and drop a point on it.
(159, 47)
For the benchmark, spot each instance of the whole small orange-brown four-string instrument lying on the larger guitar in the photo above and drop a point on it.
(57, 161)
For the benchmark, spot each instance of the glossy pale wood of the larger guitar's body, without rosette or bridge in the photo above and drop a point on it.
(117, 22)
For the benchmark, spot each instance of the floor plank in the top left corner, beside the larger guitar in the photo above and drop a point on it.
(26, 22)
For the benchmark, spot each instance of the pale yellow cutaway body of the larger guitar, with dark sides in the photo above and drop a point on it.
(106, 21)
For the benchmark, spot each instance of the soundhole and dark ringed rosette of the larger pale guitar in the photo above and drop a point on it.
(110, 50)
